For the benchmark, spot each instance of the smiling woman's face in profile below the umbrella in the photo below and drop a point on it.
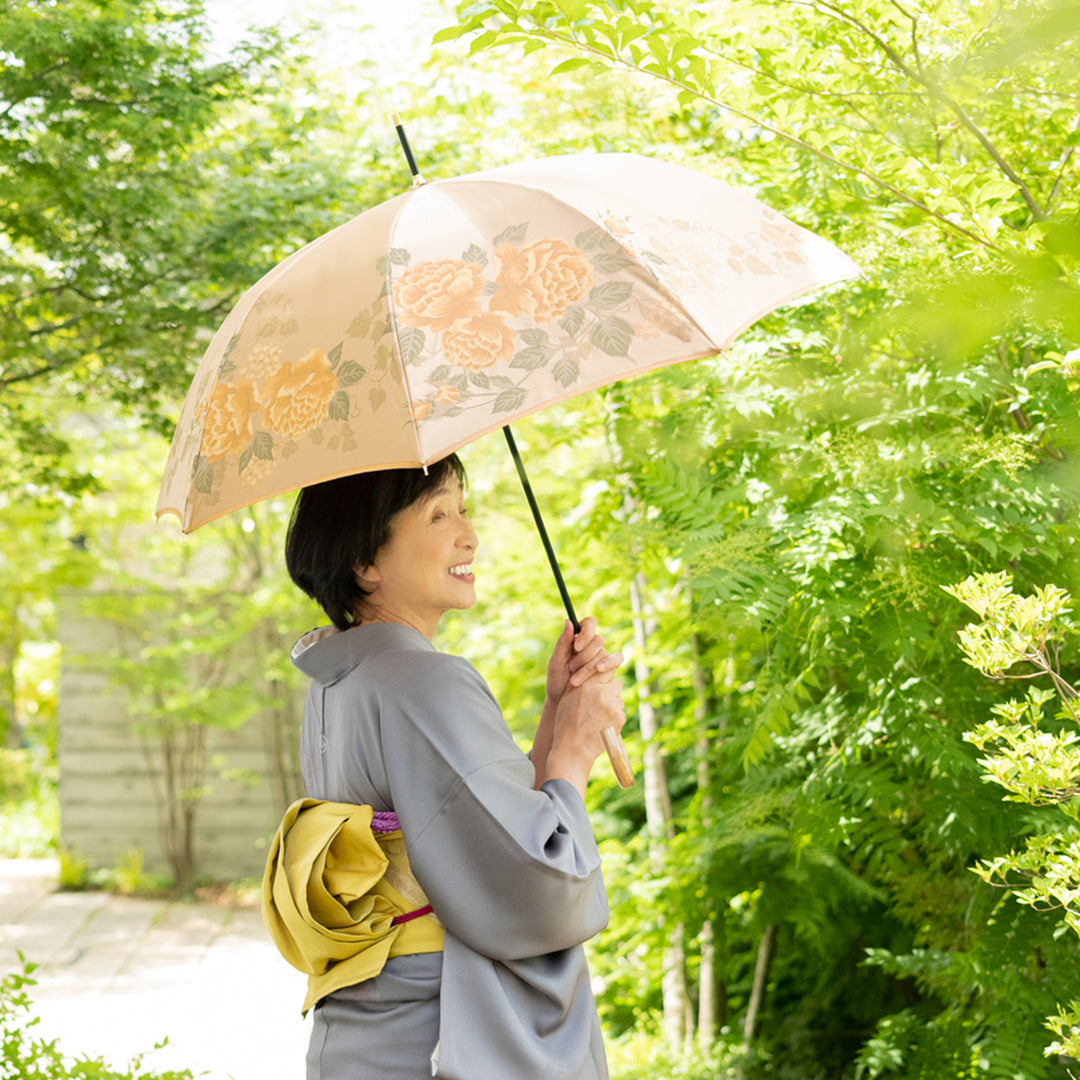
(425, 570)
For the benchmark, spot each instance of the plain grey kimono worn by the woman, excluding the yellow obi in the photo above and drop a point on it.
(514, 874)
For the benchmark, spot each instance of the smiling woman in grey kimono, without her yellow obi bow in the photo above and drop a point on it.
(498, 845)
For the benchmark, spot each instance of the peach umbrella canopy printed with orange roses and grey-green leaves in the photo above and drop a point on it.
(465, 304)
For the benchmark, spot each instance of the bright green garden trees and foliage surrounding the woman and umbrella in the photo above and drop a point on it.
(814, 876)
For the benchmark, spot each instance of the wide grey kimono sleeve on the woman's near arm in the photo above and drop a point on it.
(511, 872)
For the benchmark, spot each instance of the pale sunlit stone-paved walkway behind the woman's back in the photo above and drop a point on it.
(117, 976)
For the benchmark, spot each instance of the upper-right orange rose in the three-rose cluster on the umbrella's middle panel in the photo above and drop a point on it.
(544, 279)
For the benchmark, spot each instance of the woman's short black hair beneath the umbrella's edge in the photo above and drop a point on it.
(341, 525)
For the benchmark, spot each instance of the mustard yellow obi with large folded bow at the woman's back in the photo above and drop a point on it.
(332, 893)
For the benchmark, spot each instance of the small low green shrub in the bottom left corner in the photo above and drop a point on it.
(28, 1057)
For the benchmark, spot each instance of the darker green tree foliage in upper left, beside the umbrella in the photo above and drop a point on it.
(136, 173)
